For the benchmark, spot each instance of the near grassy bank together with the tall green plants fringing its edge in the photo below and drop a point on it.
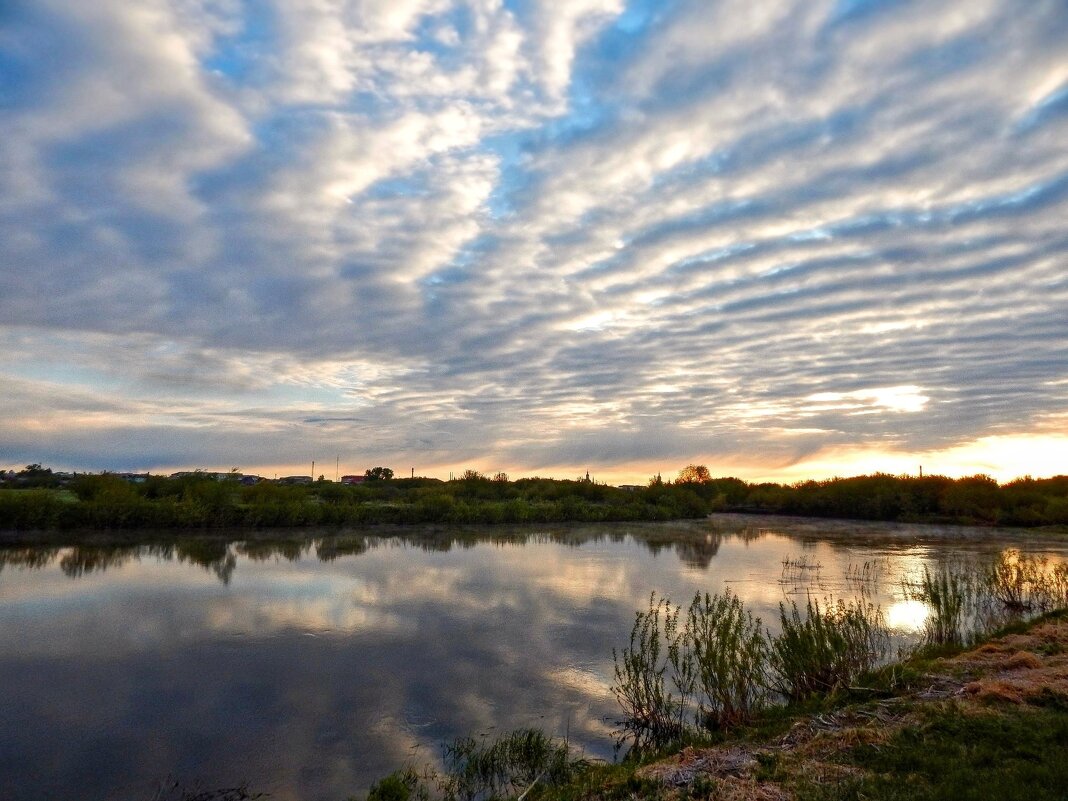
(715, 706)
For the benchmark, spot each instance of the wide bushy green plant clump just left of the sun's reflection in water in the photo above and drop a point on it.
(827, 649)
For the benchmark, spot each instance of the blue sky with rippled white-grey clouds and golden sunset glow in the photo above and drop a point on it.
(784, 239)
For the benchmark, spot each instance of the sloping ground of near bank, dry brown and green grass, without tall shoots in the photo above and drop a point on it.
(986, 723)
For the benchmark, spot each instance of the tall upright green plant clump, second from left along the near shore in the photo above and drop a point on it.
(727, 653)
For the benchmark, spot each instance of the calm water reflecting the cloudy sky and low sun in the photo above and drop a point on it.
(310, 666)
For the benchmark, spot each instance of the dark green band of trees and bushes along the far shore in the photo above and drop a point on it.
(37, 498)
